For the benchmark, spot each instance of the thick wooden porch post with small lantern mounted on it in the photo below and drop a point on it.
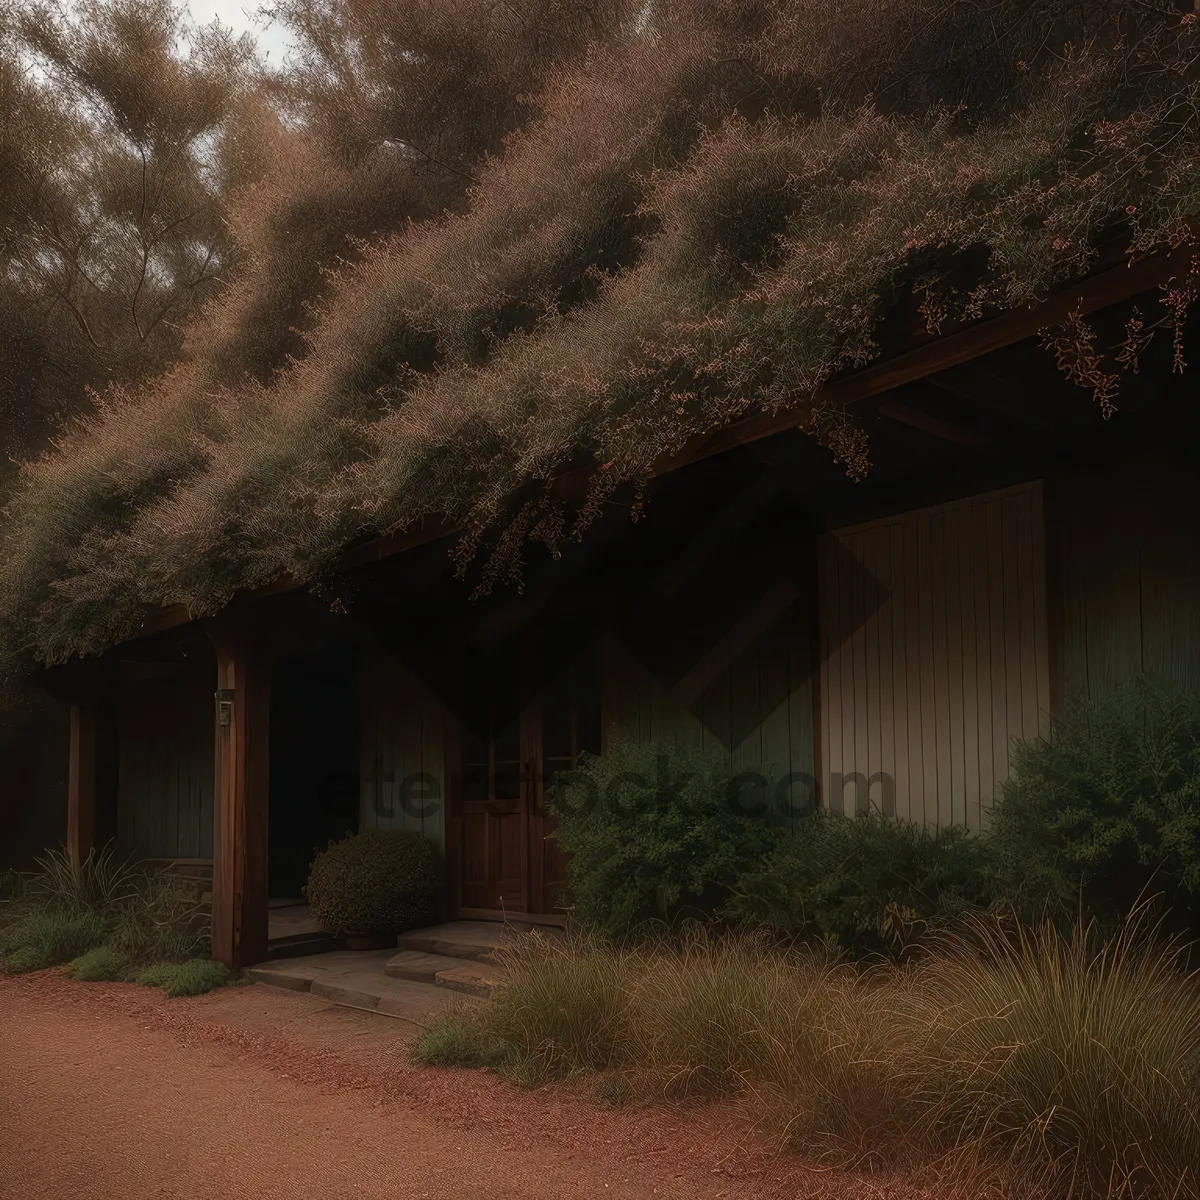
(241, 801)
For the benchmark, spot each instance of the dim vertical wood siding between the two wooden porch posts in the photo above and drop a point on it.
(165, 775)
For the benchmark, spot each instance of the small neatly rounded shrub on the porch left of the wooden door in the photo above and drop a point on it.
(374, 884)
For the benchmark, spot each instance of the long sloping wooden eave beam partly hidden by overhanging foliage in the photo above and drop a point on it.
(1096, 292)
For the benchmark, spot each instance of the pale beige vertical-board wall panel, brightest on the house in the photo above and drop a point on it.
(934, 656)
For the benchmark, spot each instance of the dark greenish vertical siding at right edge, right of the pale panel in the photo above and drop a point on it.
(1127, 567)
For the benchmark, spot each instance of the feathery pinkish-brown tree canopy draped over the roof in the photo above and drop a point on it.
(467, 248)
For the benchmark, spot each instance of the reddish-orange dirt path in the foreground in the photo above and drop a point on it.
(111, 1090)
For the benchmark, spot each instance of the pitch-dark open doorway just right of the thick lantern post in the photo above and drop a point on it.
(315, 761)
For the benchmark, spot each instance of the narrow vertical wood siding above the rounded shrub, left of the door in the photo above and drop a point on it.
(404, 783)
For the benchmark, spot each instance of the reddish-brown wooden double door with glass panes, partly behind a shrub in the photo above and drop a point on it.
(507, 862)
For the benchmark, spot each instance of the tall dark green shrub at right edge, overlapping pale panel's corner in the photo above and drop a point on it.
(1107, 808)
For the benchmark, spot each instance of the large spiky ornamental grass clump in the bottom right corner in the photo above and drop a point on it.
(1071, 1053)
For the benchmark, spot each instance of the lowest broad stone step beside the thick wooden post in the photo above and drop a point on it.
(357, 980)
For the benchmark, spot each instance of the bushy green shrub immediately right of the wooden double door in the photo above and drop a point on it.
(653, 832)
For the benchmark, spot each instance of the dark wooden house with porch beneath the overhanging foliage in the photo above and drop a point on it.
(854, 645)
